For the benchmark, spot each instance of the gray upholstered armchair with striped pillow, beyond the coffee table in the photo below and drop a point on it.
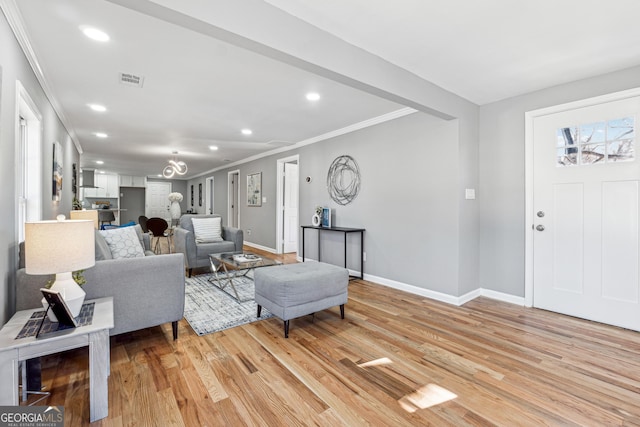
(197, 254)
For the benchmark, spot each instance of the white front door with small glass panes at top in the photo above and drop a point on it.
(586, 193)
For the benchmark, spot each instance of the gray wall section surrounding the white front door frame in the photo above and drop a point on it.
(502, 175)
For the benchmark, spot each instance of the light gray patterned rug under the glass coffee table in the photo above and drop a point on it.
(209, 309)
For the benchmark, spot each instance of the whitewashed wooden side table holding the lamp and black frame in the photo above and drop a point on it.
(95, 336)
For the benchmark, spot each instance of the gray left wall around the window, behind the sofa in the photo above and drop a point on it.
(13, 67)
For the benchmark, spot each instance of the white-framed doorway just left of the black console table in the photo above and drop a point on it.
(287, 201)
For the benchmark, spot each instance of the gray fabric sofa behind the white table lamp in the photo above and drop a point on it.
(147, 291)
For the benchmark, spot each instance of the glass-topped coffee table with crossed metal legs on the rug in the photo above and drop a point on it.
(229, 265)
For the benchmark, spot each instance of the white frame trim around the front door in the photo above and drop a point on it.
(529, 178)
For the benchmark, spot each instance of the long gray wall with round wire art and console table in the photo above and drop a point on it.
(409, 201)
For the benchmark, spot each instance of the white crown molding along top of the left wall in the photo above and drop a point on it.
(14, 18)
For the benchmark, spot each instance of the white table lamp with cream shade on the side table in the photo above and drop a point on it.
(61, 247)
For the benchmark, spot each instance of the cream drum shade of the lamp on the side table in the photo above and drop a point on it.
(53, 247)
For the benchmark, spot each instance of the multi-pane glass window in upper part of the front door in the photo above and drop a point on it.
(596, 143)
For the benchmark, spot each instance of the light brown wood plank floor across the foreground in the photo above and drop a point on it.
(396, 359)
